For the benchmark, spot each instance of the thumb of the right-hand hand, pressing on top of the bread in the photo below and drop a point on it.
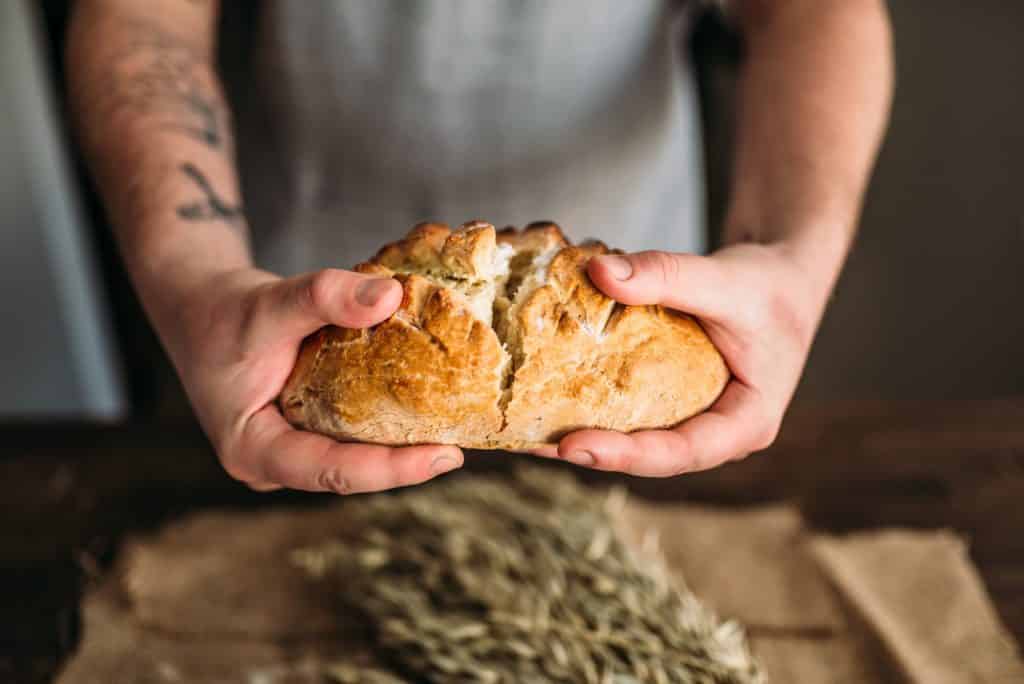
(684, 282)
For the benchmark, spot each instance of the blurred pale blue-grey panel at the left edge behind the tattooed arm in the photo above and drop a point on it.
(56, 350)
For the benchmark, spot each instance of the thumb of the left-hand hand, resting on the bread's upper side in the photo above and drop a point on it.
(304, 305)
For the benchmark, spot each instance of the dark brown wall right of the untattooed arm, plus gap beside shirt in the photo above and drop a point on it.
(931, 303)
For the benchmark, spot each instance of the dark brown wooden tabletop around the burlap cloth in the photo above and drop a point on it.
(68, 494)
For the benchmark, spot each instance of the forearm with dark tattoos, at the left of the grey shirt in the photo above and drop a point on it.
(157, 135)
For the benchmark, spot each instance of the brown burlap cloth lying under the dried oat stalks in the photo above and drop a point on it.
(214, 598)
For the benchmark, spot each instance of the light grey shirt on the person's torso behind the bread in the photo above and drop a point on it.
(371, 116)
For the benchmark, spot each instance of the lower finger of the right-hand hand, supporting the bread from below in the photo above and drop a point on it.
(734, 427)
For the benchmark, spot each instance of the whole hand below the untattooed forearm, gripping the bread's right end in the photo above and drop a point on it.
(761, 312)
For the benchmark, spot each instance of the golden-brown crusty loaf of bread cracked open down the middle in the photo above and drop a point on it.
(501, 343)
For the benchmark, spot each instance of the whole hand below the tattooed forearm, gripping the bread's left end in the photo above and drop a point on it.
(241, 336)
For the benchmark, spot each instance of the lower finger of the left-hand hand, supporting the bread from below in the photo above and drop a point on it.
(274, 452)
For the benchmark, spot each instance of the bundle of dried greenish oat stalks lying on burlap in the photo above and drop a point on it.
(498, 581)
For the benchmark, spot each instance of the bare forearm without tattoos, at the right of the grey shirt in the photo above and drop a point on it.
(815, 100)
